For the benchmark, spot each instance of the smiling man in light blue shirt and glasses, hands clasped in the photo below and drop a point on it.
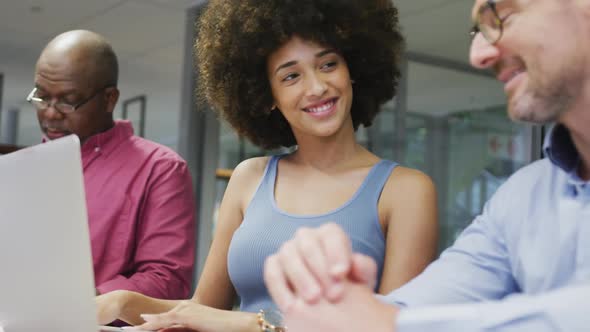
(524, 263)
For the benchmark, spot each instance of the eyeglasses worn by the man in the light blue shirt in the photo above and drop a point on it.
(489, 22)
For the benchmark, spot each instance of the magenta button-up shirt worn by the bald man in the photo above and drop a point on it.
(141, 214)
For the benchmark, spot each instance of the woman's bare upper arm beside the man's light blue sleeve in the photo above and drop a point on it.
(409, 205)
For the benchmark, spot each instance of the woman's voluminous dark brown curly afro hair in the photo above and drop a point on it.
(235, 39)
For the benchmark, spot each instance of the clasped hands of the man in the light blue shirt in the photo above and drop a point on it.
(321, 285)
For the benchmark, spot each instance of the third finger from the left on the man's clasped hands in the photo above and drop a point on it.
(311, 251)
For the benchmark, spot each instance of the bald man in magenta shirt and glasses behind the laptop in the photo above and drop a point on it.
(139, 193)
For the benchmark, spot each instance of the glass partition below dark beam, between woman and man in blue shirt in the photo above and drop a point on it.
(455, 129)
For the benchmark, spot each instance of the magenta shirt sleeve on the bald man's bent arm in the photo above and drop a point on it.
(164, 255)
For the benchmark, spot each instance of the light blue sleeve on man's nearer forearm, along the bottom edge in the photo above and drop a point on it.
(565, 309)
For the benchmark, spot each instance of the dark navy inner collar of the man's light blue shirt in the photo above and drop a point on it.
(560, 149)
